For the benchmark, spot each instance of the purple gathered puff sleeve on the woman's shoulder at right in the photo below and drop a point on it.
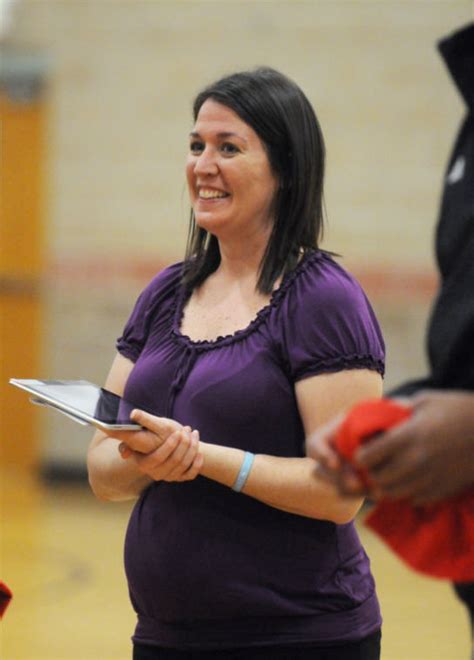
(328, 323)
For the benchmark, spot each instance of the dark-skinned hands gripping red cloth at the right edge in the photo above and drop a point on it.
(426, 459)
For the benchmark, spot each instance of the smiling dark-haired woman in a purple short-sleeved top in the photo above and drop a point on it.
(234, 549)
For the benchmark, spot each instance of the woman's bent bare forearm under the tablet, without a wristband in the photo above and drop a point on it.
(112, 478)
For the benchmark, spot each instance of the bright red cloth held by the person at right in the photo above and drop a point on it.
(437, 539)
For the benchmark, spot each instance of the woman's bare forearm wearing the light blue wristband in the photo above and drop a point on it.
(288, 484)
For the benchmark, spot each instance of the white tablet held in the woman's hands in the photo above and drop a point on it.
(82, 401)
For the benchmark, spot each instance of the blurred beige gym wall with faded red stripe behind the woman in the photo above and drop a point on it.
(122, 78)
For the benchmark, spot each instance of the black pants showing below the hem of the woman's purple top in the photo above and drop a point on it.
(366, 649)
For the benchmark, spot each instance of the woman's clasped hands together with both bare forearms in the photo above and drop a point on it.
(289, 484)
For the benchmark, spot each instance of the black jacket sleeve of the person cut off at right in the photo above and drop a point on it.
(451, 328)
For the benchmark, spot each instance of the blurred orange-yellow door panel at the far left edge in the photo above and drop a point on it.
(21, 254)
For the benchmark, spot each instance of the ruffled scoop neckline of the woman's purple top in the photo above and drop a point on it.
(224, 340)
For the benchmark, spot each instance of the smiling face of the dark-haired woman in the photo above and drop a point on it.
(231, 184)
